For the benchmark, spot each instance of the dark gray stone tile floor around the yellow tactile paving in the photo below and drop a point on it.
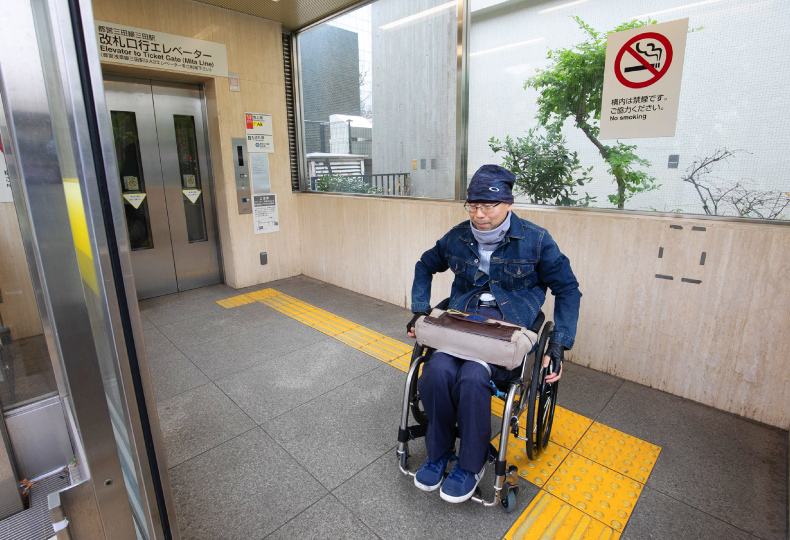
(274, 430)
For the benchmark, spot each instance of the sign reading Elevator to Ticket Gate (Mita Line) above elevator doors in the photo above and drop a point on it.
(151, 49)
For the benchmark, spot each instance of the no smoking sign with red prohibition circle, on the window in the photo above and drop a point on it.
(641, 88)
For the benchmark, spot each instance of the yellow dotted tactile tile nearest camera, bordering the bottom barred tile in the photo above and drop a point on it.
(597, 491)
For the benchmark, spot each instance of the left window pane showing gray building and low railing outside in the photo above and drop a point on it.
(379, 99)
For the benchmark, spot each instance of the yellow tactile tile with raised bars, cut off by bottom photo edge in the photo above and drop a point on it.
(549, 517)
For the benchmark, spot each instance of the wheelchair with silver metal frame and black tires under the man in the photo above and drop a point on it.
(526, 392)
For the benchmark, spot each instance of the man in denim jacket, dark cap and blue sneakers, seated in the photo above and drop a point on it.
(503, 265)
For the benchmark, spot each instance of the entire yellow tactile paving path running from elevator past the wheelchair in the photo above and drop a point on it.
(590, 475)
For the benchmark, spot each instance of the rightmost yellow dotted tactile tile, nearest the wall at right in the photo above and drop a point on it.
(619, 451)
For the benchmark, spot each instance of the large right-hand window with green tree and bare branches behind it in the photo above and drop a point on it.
(535, 79)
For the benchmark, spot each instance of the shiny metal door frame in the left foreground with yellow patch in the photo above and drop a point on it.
(62, 170)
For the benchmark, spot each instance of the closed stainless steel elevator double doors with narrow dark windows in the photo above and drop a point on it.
(160, 145)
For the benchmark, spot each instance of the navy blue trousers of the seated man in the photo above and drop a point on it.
(456, 391)
